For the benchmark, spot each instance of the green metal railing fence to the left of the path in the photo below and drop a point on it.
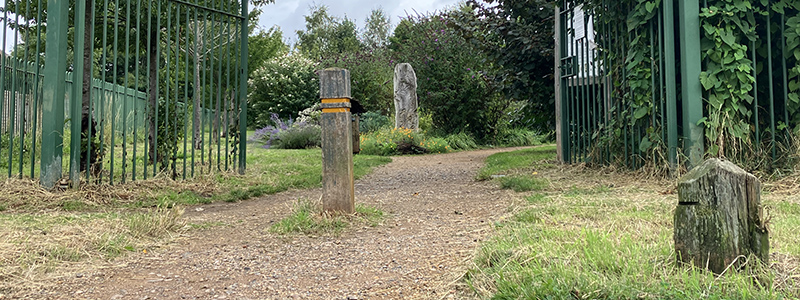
(160, 91)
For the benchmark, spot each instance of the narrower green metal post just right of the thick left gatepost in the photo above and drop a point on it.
(77, 93)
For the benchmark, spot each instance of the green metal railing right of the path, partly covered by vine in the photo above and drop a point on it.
(630, 89)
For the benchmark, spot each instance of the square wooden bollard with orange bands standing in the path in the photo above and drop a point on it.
(338, 194)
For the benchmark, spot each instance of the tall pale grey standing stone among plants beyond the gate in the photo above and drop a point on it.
(405, 97)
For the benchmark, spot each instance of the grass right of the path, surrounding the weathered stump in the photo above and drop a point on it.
(597, 235)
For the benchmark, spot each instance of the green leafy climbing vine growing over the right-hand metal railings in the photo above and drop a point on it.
(740, 106)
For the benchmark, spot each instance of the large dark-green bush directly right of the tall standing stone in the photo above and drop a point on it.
(452, 76)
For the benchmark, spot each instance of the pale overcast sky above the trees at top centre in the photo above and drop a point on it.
(289, 14)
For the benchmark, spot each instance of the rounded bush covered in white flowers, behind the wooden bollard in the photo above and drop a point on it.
(284, 86)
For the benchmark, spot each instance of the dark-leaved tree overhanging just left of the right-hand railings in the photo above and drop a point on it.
(517, 37)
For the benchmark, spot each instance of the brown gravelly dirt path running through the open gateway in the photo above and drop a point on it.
(437, 215)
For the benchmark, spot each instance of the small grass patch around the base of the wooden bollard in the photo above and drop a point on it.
(307, 218)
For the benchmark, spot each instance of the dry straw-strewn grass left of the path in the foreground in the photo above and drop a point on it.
(35, 248)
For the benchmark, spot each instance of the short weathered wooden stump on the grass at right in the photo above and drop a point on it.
(719, 216)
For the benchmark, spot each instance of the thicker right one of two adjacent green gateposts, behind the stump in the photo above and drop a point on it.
(692, 95)
